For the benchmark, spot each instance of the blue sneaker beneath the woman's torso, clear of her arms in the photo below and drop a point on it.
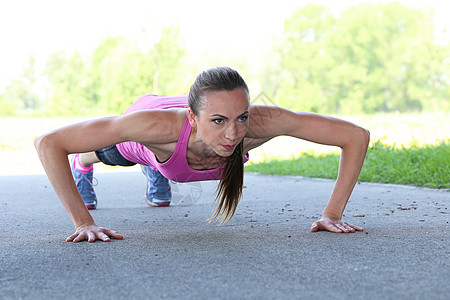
(158, 191)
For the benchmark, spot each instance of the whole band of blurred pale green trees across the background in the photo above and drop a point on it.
(370, 58)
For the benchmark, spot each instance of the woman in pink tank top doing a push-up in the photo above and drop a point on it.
(202, 136)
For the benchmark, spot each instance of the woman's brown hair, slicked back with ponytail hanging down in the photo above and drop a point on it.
(229, 190)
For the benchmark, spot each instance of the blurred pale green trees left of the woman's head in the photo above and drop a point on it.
(108, 80)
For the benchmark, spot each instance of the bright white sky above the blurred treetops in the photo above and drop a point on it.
(234, 26)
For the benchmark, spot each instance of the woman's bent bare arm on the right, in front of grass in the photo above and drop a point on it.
(353, 140)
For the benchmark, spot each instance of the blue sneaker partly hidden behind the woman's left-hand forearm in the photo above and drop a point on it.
(84, 185)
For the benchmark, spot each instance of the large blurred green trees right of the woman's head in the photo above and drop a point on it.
(373, 58)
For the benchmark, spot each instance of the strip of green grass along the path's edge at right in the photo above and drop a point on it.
(425, 166)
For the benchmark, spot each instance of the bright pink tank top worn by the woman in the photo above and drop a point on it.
(176, 168)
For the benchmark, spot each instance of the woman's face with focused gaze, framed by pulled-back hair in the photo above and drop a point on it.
(223, 121)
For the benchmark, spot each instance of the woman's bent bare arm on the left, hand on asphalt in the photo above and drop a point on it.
(54, 147)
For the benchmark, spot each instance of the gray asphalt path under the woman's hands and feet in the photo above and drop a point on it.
(265, 252)
